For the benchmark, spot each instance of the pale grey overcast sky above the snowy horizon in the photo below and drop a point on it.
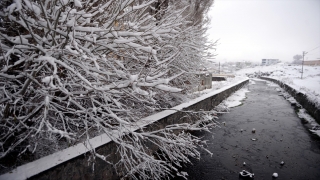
(265, 29)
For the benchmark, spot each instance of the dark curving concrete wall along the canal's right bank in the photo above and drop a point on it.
(312, 109)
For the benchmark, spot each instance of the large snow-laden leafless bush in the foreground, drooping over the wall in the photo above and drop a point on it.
(72, 69)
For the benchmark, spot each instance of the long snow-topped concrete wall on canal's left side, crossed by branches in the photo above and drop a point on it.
(71, 163)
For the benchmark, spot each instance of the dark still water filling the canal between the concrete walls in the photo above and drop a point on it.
(280, 137)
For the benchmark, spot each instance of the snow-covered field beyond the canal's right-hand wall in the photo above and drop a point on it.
(291, 75)
